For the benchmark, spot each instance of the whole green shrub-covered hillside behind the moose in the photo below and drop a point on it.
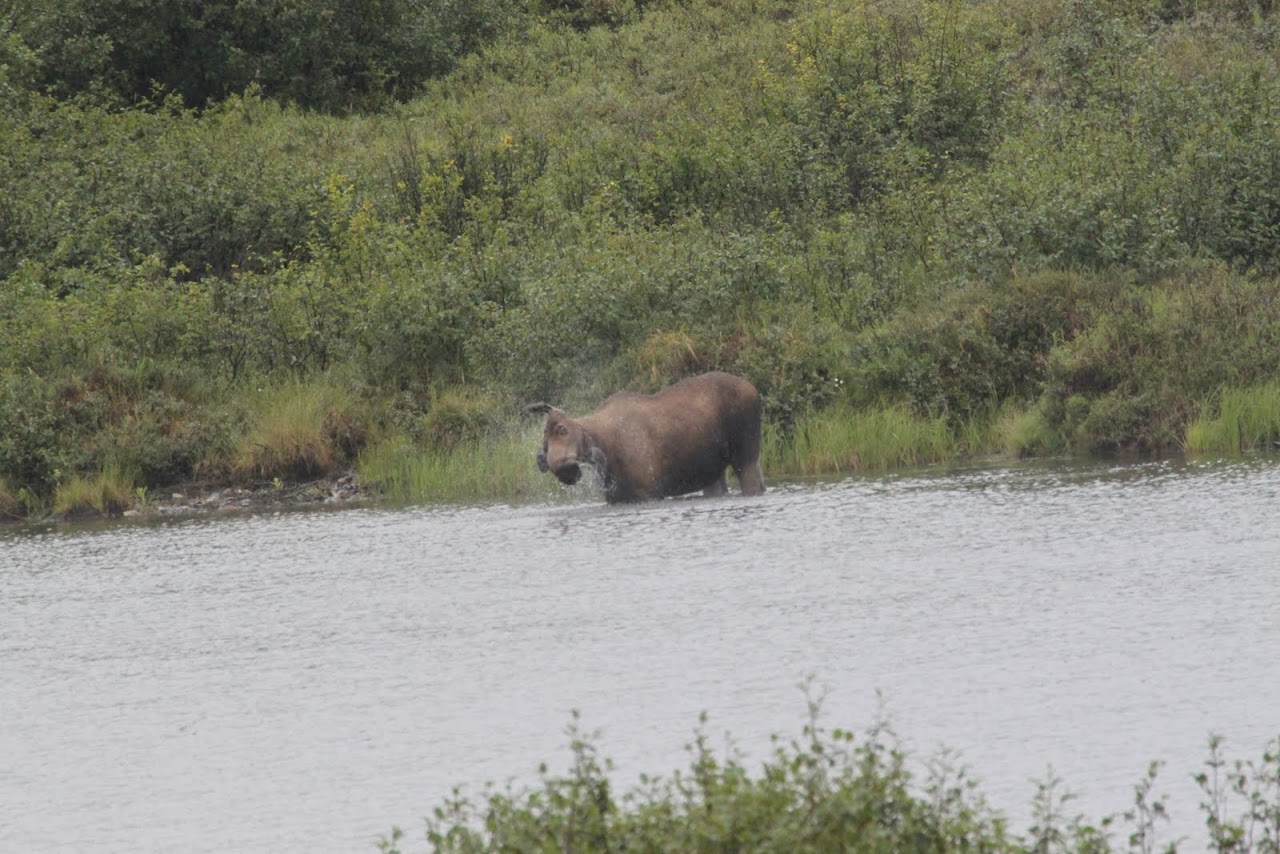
(1028, 227)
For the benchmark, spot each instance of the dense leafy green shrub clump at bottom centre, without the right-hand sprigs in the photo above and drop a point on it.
(822, 791)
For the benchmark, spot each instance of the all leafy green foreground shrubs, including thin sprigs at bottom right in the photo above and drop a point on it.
(834, 791)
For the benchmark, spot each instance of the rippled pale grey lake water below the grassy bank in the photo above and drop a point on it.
(305, 682)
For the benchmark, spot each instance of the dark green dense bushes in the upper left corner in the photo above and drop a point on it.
(321, 54)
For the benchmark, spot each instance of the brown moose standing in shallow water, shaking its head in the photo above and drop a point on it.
(653, 446)
